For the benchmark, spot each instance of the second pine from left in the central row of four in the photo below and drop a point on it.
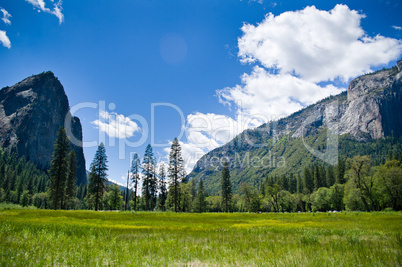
(148, 184)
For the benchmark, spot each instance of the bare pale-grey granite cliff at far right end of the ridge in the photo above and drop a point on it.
(373, 104)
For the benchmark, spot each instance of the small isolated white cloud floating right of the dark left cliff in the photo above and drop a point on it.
(116, 125)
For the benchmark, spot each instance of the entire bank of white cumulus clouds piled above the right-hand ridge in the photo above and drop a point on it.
(299, 57)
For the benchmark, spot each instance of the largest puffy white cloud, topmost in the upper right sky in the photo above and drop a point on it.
(316, 45)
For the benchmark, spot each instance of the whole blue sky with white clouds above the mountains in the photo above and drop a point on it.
(223, 66)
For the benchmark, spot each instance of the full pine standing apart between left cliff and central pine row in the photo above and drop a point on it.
(98, 176)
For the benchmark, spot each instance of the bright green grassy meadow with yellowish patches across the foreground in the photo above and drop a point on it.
(44, 237)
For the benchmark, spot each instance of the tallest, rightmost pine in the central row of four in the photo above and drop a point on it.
(175, 171)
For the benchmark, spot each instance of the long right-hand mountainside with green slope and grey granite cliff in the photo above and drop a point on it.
(370, 109)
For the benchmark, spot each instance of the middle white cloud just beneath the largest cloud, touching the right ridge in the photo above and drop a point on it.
(268, 97)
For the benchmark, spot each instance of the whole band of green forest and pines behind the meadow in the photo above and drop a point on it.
(366, 183)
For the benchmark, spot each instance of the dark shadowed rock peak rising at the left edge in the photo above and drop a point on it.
(31, 112)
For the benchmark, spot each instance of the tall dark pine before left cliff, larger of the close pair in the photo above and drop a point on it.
(59, 168)
